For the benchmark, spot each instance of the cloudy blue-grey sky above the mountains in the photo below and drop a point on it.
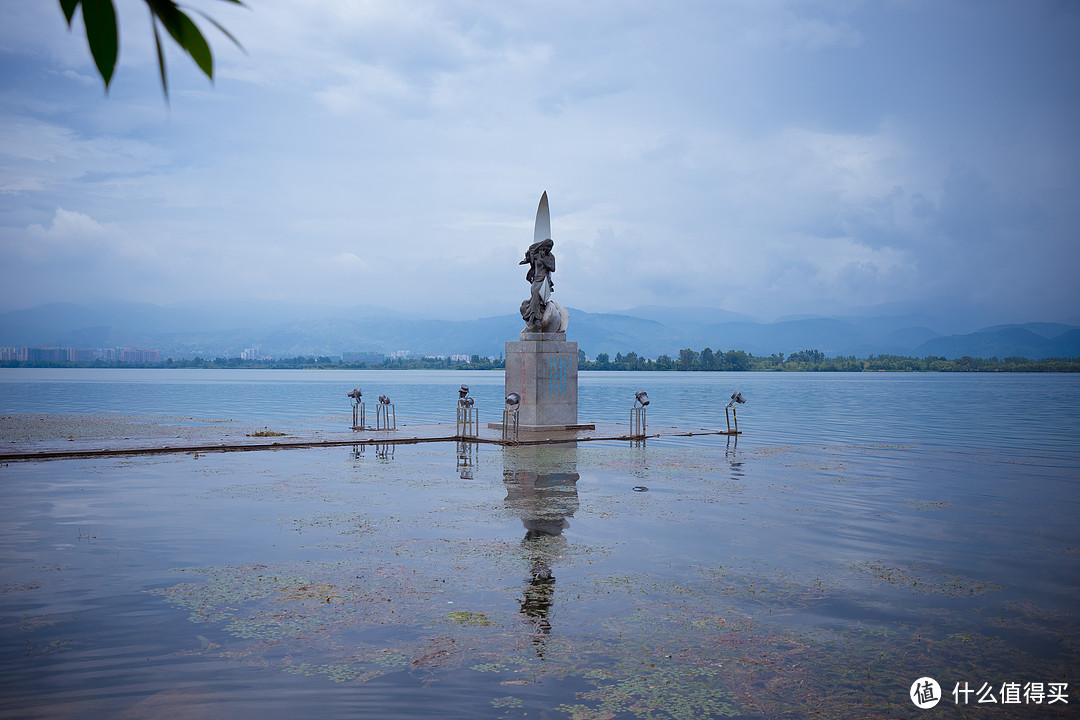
(765, 157)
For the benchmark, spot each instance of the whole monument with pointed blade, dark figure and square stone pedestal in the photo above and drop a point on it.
(542, 365)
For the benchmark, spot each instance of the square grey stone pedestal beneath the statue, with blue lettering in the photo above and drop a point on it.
(543, 369)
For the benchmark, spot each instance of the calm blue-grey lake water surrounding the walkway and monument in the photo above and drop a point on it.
(866, 532)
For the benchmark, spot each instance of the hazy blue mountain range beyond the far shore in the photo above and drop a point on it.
(289, 330)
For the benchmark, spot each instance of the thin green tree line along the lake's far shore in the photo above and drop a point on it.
(806, 361)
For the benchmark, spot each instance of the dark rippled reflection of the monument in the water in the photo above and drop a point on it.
(542, 488)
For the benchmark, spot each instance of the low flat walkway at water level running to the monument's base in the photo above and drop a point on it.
(223, 441)
